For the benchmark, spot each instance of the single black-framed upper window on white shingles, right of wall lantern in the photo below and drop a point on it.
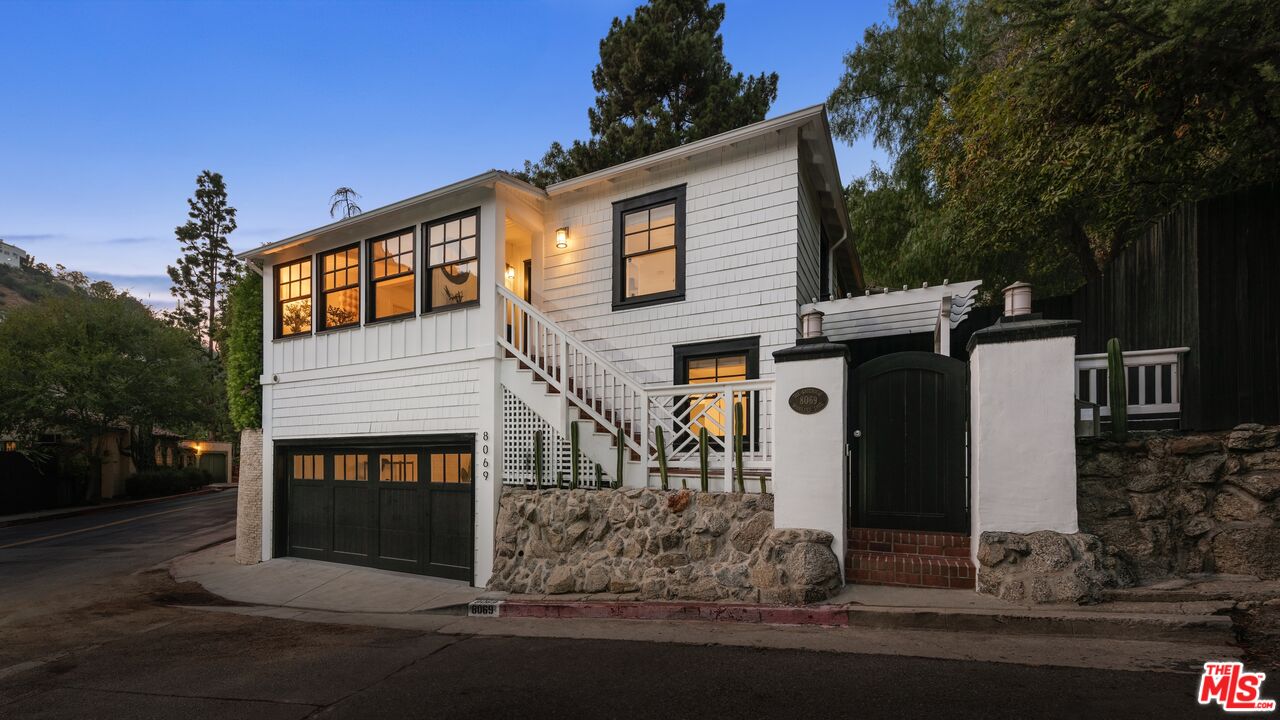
(650, 249)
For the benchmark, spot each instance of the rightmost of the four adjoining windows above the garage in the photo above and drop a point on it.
(452, 262)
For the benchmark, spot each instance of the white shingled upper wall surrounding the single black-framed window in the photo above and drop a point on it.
(742, 209)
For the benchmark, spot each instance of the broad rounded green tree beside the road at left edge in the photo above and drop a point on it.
(94, 362)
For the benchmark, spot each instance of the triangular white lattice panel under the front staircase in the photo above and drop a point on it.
(519, 427)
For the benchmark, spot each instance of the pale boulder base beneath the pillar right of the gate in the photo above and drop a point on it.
(1049, 567)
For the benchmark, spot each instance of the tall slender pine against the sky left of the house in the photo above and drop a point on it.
(208, 266)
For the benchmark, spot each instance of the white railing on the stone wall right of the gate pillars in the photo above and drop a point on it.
(1153, 380)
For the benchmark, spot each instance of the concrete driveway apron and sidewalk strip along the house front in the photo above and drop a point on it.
(307, 585)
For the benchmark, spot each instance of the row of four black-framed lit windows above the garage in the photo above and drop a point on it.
(451, 279)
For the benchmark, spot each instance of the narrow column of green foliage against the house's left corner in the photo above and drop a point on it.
(243, 357)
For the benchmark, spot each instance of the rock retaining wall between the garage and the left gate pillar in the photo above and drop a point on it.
(661, 545)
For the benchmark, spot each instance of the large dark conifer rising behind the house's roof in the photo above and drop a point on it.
(662, 81)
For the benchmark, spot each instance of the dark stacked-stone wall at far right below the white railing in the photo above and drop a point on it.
(1181, 504)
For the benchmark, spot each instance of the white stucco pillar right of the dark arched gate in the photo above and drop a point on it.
(1022, 427)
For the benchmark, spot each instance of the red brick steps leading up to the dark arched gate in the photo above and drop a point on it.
(909, 558)
